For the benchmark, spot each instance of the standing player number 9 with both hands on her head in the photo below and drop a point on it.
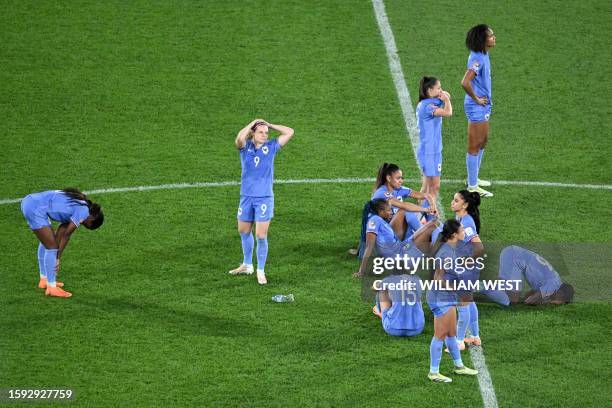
(257, 154)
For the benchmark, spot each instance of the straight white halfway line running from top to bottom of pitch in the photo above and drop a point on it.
(484, 378)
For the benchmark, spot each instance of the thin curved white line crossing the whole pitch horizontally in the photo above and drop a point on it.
(178, 186)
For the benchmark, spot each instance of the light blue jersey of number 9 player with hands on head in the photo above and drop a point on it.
(258, 168)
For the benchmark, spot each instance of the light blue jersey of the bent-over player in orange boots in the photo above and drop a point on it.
(40, 208)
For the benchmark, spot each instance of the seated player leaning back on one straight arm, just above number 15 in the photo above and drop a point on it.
(387, 234)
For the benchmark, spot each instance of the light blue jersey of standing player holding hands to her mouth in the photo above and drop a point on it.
(430, 127)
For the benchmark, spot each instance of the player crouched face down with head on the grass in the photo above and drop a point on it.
(516, 263)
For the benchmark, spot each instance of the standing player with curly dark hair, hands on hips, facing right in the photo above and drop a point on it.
(477, 85)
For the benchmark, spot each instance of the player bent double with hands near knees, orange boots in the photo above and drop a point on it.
(70, 208)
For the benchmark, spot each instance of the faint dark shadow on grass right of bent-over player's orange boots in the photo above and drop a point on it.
(169, 319)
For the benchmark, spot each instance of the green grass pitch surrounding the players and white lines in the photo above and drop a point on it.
(119, 94)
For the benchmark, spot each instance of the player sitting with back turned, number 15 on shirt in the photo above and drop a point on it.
(398, 304)
